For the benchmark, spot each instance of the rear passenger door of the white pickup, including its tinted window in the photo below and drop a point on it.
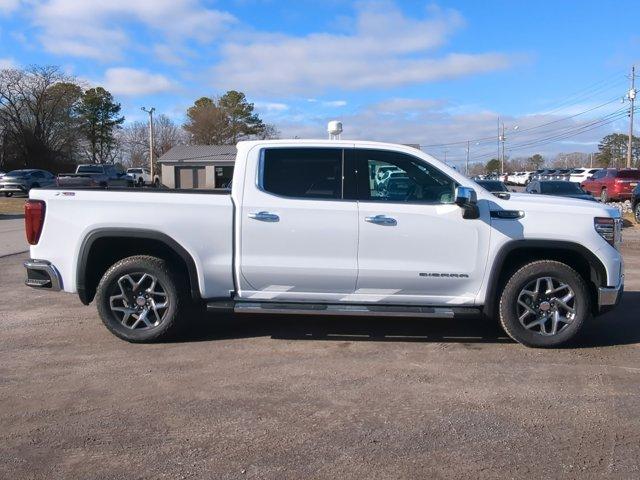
(299, 236)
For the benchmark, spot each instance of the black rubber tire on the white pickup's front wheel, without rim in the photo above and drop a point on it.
(509, 309)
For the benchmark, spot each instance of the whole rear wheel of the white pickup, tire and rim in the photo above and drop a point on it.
(139, 300)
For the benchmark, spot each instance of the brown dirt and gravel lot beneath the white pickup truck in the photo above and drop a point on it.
(245, 397)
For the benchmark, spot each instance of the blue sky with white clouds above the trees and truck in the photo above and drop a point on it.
(406, 71)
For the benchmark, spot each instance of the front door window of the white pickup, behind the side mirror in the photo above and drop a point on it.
(410, 179)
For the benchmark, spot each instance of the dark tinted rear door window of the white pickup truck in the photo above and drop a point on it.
(303, 172)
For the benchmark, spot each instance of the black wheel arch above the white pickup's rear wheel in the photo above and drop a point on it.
(102, 247)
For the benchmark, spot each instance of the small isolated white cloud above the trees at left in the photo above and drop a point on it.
(132, 82)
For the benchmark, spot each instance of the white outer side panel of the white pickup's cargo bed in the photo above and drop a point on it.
(200, 221)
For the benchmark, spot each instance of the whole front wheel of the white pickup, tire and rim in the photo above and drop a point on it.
(544, 304)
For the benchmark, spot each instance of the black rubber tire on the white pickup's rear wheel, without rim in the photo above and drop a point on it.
(167, 280)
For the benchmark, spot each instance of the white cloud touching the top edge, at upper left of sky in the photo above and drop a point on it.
(87, 28)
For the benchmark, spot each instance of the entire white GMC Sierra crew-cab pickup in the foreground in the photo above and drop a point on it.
(308, 229)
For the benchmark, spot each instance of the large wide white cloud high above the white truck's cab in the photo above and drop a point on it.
(386, 49)
